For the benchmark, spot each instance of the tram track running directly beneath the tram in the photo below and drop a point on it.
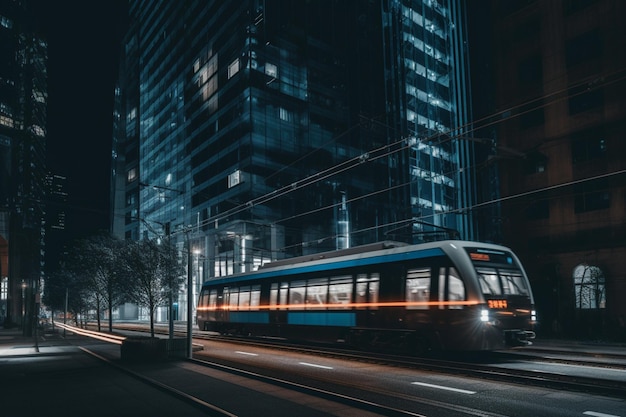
(481, 367)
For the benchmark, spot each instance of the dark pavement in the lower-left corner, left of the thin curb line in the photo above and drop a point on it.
(59, 379)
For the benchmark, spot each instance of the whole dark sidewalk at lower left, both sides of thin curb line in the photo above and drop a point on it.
(62, 380)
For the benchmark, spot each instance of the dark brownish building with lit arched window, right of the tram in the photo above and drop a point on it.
(560, 88)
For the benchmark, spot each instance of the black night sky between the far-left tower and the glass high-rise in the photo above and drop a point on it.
(83, 49)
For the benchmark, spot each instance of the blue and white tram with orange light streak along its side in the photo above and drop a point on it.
(448, 295)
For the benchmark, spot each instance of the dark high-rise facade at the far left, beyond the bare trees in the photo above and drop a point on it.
(23, 97)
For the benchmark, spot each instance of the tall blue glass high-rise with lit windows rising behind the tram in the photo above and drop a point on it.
(257, 130)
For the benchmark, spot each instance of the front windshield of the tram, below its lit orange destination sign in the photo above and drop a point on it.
(498, 273)
